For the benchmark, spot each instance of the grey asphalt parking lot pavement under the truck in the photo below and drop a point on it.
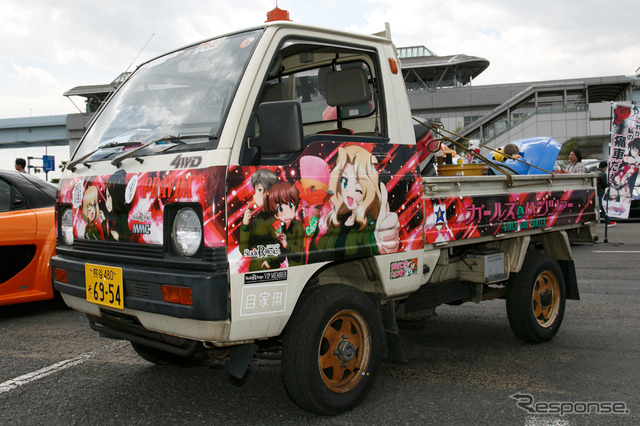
(465, 366)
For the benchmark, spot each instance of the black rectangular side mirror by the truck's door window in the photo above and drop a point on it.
(280, 128)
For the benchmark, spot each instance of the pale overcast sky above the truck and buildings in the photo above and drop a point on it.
(48, 47)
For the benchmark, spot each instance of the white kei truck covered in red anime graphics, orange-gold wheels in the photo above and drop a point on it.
(264, 190)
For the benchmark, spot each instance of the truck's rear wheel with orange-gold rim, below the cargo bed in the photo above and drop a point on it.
(536, 299)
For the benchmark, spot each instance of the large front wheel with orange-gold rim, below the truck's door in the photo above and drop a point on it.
(331, 349)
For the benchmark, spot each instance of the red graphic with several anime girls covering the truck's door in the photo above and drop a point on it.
(335, 202)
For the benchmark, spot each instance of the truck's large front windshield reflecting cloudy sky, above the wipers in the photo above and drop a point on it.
(184, 94)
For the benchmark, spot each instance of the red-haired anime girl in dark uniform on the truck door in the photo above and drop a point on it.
(282, 202)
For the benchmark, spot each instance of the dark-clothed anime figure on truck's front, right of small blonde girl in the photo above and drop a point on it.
(115, 225)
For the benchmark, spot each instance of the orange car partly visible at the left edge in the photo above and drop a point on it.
(27, 237)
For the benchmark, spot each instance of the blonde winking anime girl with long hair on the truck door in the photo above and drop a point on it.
(360, 223)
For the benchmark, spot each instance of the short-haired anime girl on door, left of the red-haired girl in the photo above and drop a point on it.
(257, 235)
